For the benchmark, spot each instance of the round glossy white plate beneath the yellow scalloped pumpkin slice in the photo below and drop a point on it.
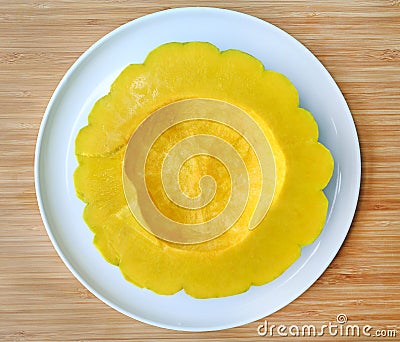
(90, 77)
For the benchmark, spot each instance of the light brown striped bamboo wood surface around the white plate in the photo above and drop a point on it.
(357, 41)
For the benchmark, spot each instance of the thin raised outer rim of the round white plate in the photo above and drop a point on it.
(58, 91)
